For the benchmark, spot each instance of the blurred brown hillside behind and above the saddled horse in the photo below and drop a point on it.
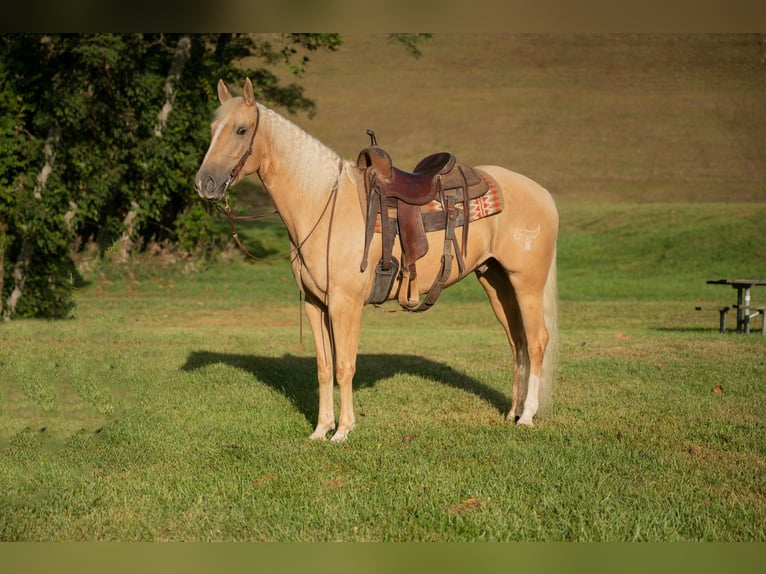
(605, 118)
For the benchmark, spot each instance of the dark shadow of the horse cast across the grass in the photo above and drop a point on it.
(295, 377)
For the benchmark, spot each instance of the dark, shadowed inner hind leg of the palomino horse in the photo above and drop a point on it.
(502, 297)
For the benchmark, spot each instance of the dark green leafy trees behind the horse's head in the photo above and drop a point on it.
(99, 138)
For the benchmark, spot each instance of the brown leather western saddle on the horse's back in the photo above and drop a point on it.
(395, 198)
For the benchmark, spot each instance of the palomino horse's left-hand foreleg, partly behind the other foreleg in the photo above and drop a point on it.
(318, 320)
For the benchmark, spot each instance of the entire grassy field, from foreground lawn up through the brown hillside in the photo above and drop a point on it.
(176, 404)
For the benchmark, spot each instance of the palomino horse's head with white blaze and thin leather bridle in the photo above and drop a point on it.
(232, 133)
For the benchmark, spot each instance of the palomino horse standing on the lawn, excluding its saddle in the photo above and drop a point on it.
(319, 197)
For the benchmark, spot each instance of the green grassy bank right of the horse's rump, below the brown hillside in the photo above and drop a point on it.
(660, 251)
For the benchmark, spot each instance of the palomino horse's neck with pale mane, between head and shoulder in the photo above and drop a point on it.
(298, 171)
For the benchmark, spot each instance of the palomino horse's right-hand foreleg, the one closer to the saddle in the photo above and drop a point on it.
(346, 319)
